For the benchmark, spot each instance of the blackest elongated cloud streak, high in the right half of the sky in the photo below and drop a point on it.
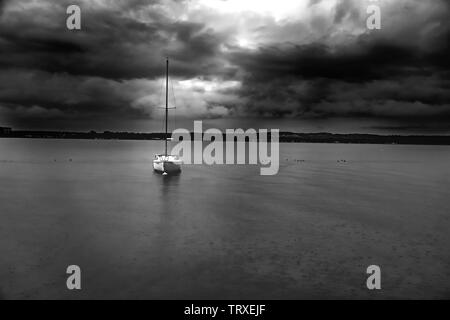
(357, 63)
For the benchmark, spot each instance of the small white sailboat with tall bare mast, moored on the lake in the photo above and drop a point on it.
(164, 163)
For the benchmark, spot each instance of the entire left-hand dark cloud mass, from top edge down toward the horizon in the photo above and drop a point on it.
(50, 71)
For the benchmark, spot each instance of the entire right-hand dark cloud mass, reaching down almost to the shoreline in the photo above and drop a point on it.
(372, 76)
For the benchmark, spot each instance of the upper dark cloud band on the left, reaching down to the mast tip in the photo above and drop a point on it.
(110, 45)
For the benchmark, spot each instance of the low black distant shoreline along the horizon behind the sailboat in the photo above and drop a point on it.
(323, 137)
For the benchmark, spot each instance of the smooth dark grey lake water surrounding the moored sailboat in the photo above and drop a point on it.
(223, 231)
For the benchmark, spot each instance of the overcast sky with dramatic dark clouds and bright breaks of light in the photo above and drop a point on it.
(268, 63)
